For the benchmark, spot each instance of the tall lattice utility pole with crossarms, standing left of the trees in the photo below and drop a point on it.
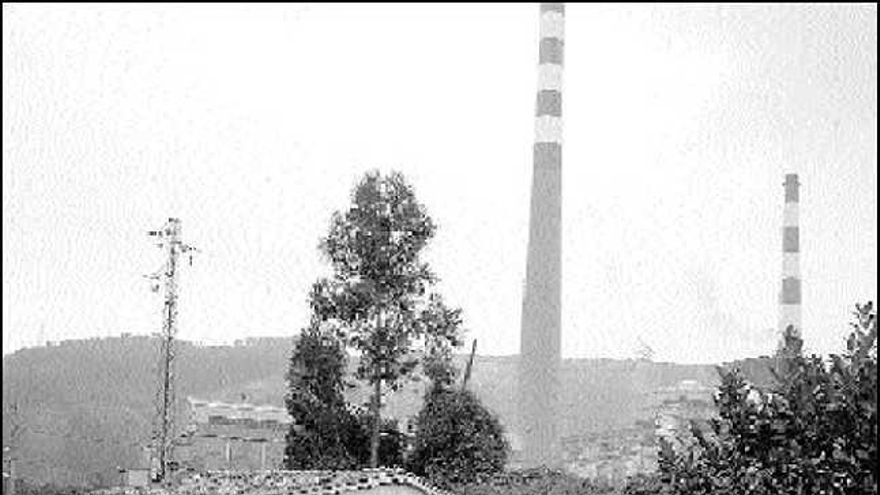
(169, 240)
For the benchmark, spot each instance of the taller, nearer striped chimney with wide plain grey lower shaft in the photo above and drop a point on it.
(540, 355)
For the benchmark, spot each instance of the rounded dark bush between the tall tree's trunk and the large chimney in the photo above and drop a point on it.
(458, 440)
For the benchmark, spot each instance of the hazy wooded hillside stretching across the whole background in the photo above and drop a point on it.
(87, 405)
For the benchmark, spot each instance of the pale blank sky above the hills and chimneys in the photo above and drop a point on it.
(252, 123)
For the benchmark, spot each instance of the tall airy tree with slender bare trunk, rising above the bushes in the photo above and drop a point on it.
(377, 299)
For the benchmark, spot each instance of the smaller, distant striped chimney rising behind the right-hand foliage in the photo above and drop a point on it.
(790, 296)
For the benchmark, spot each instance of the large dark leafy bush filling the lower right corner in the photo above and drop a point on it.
(815, 432)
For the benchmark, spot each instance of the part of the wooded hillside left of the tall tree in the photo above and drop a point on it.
(86, 405)
